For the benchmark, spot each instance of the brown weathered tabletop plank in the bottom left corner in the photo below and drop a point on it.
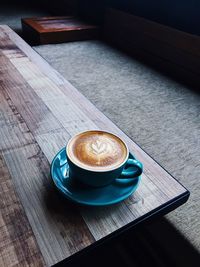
(18, 246)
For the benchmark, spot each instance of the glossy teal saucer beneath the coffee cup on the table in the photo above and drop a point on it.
(86, 195)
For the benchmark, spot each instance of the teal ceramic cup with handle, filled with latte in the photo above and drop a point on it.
(98, 158)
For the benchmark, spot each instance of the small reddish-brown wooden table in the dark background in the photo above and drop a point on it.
(47, 30)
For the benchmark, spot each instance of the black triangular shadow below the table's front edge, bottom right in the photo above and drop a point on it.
(157, 244)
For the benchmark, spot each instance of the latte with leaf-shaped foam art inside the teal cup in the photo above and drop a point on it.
(97, 151)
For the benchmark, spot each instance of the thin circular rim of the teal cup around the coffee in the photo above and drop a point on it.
(90, 169)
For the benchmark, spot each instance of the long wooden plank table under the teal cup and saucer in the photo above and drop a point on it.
(39, 111)
